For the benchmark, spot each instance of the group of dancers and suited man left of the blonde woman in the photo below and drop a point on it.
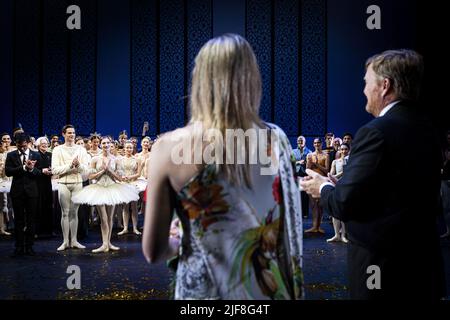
(96, 171)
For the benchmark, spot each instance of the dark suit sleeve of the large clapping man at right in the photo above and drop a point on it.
(355, 190)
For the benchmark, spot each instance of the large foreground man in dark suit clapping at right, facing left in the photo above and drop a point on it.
(386, 196)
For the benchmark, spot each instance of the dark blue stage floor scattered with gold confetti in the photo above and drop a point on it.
(126, 275)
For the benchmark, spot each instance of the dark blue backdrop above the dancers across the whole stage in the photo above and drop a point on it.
(131, 60)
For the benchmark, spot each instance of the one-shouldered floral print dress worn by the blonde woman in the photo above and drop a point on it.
(241, 243)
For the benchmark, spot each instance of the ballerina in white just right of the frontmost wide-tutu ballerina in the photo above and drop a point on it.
(131, 169)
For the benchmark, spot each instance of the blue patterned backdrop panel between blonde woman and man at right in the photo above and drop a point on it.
(289, 39)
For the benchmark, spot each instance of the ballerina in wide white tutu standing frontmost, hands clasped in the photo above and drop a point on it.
(105, 192)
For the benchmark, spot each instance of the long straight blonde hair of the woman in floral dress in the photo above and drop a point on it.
(226, 93)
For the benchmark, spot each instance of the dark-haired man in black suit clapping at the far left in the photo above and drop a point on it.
(22, 164)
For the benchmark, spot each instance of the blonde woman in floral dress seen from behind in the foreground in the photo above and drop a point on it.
(237, 219)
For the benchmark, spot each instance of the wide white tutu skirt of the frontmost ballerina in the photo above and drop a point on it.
(98, 194)
